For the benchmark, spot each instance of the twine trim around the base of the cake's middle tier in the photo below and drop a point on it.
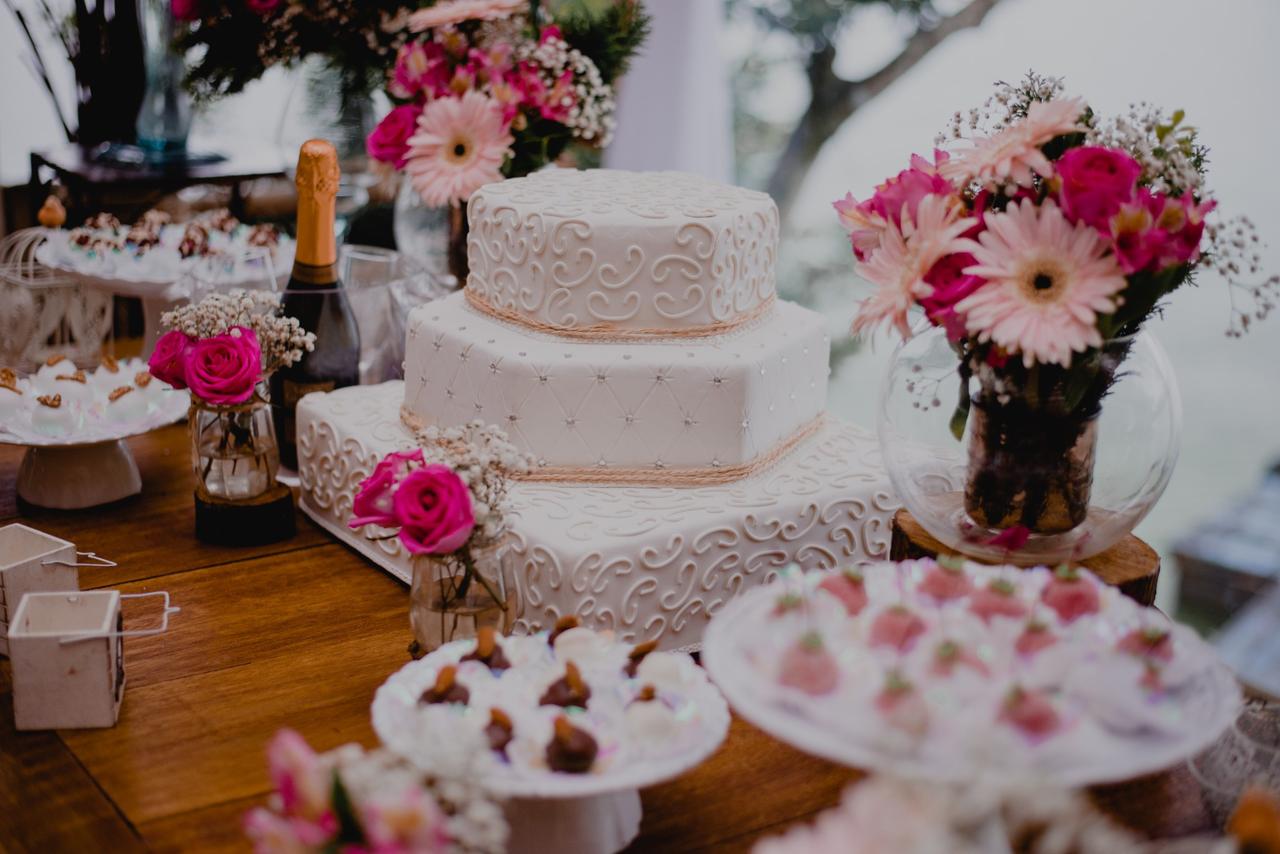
(653, 476)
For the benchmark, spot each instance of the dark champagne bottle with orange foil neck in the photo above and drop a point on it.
(317, 299)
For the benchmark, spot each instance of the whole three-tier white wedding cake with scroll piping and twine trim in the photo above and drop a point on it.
(624, 330)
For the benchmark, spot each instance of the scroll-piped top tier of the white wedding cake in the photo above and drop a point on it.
(657, 252)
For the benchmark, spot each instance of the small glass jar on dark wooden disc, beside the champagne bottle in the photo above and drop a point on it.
(234, 450)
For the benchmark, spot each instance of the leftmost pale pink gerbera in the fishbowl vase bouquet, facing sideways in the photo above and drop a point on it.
(904, 257)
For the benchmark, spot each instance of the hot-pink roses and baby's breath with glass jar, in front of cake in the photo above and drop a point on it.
(446, 504)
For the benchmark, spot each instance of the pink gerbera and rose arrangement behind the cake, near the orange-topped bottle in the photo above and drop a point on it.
(492, 89)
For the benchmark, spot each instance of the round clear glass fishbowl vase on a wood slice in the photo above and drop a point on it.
(1050, 467)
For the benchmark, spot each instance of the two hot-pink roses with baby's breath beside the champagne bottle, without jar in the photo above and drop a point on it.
(225, 346)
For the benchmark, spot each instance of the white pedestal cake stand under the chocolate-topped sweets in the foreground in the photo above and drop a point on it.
(593, 814)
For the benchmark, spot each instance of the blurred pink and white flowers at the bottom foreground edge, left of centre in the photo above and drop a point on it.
(363, 802)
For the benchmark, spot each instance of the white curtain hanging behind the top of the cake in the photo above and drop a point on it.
(674, 104)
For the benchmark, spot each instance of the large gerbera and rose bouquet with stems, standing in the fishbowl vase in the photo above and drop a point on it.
(1040, 248)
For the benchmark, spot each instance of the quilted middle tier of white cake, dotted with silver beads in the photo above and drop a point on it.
(706, 405)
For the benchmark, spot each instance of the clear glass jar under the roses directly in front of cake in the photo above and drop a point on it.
(455, 596)
